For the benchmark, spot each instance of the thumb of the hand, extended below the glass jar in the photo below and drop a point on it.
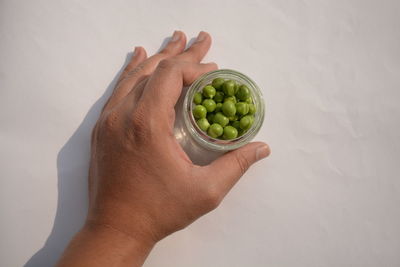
(228, 169)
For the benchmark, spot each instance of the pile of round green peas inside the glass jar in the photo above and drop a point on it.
(224, 109)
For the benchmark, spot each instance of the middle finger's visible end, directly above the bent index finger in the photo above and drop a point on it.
(198, 50)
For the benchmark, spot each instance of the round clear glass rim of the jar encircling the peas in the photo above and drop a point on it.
(213, 143)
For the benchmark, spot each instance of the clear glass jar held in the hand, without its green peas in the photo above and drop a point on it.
(200, 147)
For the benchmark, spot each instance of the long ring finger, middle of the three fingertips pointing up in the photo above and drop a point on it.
(175, 46)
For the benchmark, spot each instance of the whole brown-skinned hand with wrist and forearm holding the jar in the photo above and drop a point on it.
(142, 186)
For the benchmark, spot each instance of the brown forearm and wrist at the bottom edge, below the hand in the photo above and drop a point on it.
(98, 245)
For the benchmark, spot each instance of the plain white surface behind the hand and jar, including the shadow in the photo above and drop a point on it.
(329, 194)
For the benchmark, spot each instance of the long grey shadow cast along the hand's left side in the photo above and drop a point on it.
(72, 170)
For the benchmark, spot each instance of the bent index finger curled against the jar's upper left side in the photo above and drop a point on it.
(165, 85)
